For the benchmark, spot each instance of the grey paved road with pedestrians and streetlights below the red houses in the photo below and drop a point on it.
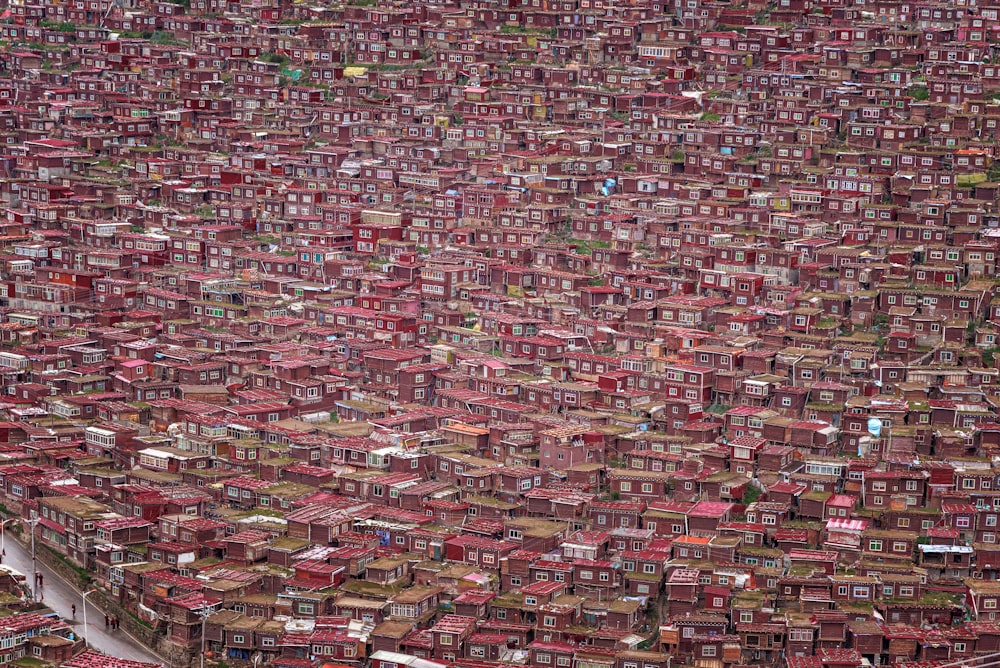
(59, 595)
